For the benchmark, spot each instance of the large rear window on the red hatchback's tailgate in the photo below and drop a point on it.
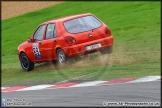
(82, 24)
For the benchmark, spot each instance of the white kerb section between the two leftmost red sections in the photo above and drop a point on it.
(37, 87)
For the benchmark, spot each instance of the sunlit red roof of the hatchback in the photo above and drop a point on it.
(66, 18)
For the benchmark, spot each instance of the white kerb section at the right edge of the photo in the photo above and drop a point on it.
(145, 79)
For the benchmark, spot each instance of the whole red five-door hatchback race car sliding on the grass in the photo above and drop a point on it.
(63, 38)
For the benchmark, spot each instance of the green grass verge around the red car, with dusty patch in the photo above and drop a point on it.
(134, 25)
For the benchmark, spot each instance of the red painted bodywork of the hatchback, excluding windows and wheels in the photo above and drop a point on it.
(48, 46)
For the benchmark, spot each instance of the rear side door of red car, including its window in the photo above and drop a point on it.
(47, 45)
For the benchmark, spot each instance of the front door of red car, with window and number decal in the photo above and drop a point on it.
(36, 44)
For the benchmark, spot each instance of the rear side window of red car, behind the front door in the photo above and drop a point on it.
(50, 32)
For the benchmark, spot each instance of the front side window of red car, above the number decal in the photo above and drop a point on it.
(39, 33)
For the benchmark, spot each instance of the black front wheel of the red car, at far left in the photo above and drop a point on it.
(26, 63)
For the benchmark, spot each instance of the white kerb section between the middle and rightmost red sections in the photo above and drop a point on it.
(90, 83)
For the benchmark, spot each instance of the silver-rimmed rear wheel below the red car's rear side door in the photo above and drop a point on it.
(61, 57)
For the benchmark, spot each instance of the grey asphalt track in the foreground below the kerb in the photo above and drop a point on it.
(127, 93)
